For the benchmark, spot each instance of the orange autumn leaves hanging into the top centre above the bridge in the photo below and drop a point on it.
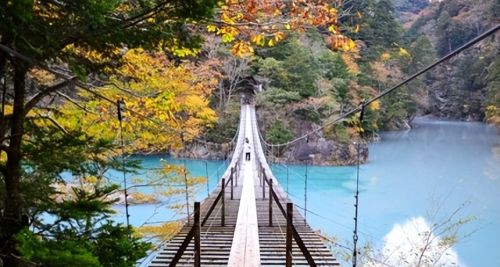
(246, 24)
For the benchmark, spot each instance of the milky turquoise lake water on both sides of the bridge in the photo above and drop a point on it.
(427, 172)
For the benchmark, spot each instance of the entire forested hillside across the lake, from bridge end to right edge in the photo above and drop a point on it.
(305, 83)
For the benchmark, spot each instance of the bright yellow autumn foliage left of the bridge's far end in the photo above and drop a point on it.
(160, 100)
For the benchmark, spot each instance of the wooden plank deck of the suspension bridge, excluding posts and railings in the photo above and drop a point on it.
(235, 243)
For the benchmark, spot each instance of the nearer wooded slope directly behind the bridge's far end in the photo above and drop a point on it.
(304, 82)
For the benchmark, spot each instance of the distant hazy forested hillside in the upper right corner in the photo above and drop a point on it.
(466, 87)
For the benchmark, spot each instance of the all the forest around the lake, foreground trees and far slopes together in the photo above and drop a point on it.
(85, 84)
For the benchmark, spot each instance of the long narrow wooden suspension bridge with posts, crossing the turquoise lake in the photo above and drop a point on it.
(248, 219)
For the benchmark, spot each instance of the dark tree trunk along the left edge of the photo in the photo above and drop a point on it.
(11, 220)
